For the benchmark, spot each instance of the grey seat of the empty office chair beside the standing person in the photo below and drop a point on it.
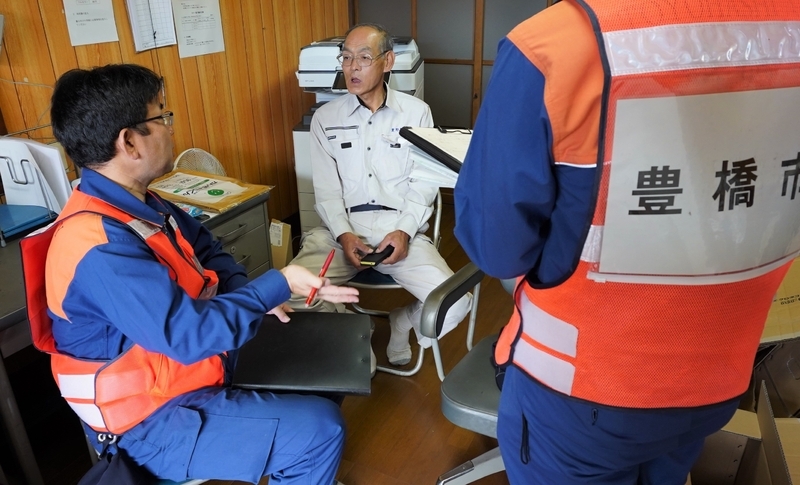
(470, 397)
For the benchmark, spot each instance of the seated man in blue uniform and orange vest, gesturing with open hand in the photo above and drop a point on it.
(143, 311)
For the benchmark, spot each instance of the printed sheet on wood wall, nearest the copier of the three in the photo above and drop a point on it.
(199, 27)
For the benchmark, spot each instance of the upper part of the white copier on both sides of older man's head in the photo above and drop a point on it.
(320, 73)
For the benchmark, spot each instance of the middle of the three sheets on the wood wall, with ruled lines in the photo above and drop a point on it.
(151, 23)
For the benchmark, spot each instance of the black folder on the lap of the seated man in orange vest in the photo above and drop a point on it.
(313, 353)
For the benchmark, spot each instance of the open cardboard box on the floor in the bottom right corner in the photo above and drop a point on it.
(752, 449)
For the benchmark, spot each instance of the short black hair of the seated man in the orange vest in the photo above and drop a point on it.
(90, 107)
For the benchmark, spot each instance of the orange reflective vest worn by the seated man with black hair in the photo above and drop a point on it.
(114, 396)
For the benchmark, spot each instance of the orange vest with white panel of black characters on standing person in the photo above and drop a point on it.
(694, 227)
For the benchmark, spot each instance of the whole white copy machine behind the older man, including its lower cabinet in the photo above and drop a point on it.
(320, 73)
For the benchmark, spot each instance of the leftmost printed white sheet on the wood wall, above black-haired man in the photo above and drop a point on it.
(90, 21)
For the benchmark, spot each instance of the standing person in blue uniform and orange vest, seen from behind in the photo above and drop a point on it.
(648, 158)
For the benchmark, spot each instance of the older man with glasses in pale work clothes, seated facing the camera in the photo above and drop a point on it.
(363, 191)
